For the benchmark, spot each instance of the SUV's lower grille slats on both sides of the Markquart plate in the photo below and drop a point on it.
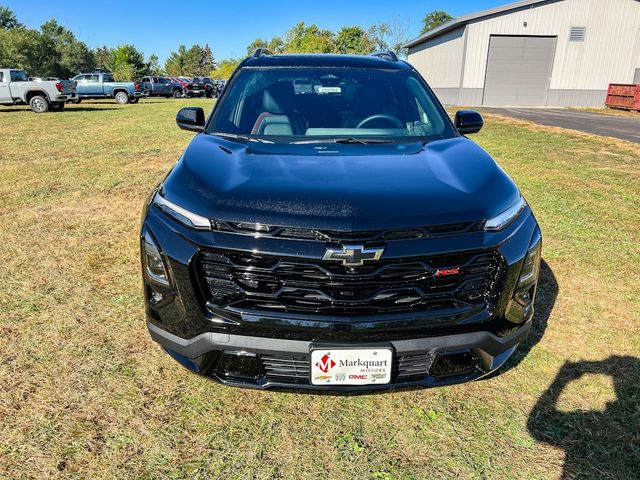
(295, 369)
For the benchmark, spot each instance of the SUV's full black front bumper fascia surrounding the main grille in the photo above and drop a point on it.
(433, 348)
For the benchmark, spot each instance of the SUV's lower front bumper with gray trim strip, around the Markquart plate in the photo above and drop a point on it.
(246, 361)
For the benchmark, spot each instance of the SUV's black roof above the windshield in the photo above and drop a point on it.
(324, 60)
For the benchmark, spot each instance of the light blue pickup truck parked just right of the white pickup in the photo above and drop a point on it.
(103, 85)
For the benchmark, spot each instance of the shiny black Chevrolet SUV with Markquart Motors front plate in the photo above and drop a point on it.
(343, 236)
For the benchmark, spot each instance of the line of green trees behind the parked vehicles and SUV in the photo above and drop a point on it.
(53, 50)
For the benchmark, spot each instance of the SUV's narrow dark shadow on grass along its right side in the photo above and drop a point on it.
(545, 301)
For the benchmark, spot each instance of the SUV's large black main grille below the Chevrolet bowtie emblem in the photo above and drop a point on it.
(240, 281)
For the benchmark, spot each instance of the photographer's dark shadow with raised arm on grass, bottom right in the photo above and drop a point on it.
(597, 443)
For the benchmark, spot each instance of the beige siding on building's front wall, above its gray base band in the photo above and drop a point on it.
(610, 52)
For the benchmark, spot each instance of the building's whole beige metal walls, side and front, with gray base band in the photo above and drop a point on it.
(455, 64)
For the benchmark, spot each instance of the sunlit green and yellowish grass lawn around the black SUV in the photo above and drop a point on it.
(84, 392)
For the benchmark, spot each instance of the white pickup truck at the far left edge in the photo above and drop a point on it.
(41, 96)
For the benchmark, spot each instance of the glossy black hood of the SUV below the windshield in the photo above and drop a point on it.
(340, 187)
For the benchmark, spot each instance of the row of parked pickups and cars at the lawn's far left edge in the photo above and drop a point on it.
(51, 93)
